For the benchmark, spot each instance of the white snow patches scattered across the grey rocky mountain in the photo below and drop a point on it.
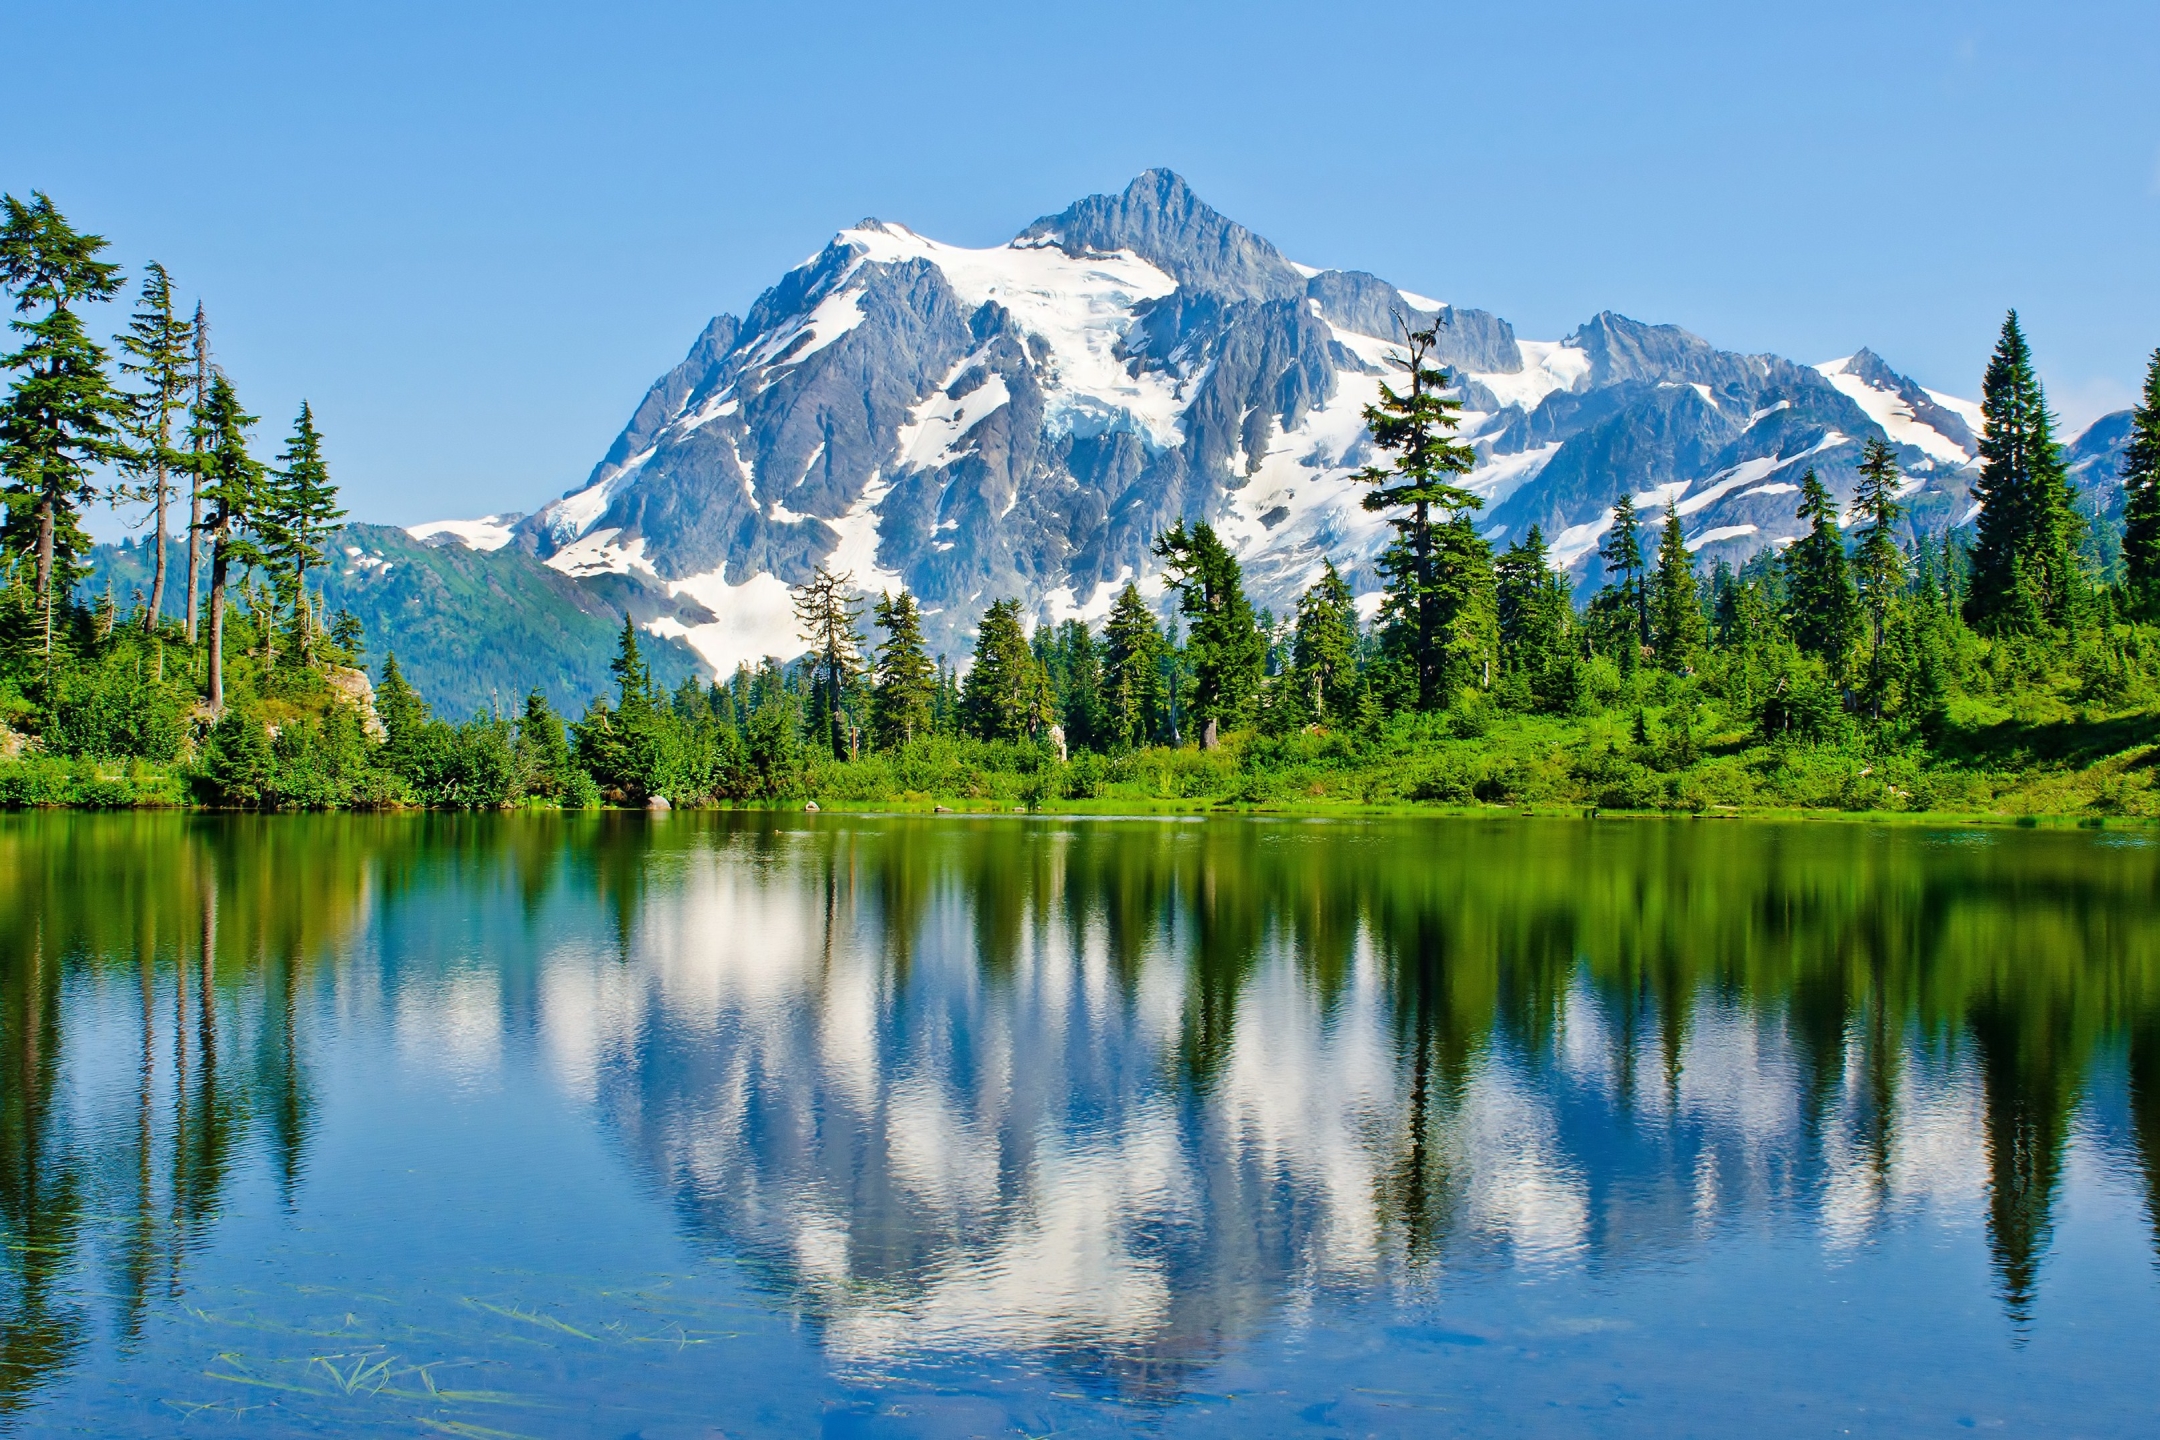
(1297, 506)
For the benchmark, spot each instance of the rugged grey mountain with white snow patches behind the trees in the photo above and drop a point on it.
(1025, 420)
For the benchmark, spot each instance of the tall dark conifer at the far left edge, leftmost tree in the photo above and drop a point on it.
(62, 411)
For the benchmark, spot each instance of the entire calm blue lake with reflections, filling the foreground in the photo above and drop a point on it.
(783, 1126)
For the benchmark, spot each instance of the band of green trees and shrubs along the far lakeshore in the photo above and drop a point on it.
(1999, 673)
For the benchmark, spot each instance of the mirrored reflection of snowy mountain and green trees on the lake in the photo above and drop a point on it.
(1116, 1096)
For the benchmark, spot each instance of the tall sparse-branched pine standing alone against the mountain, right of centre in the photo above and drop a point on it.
(1425, 588)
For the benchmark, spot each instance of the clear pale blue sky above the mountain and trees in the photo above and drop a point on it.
(472, 234)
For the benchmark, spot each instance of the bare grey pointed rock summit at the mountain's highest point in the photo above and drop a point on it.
(1165, 223)
